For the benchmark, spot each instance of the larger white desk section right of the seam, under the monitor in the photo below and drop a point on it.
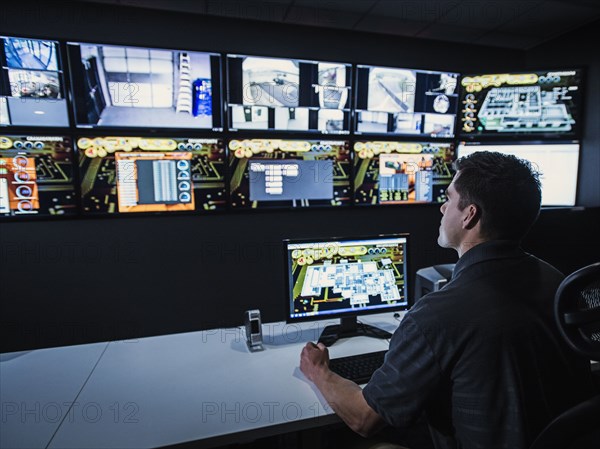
(204, 387)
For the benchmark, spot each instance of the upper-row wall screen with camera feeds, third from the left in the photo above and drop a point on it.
(288, 94)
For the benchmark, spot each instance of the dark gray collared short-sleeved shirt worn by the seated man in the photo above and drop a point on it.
(482, 357)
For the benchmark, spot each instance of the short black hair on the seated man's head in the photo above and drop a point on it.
(506, 189)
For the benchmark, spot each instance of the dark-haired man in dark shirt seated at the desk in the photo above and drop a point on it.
(481, 358)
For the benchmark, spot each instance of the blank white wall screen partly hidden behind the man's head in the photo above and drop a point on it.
(558, 163)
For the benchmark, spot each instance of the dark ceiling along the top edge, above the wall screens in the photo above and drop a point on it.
(514, 24)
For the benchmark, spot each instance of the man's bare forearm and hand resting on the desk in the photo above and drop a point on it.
(344, 396)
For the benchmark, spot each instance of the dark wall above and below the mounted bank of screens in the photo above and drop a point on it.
(84, 280)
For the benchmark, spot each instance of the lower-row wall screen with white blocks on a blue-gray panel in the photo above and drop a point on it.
(267, 173)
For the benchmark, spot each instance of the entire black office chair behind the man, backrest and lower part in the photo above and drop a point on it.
(577, 311)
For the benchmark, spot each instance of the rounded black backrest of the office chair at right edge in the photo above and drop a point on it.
(577, 310)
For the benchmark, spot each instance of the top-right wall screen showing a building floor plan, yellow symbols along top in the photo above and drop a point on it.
(534, 103)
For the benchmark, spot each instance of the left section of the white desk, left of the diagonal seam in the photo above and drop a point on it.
(38, 389)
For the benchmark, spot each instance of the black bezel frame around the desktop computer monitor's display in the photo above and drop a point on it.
(334, 316)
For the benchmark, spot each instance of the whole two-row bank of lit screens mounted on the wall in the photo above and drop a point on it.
(94, 129)
